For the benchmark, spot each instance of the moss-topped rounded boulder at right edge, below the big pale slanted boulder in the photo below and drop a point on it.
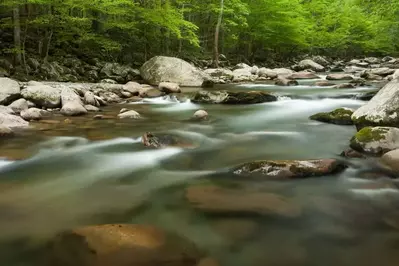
(376, 140)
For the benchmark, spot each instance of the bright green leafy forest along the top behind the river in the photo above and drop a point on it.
(131, 31)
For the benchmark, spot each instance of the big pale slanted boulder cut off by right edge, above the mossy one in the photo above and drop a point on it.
(382, 109)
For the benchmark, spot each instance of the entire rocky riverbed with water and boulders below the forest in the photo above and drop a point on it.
(167, 172)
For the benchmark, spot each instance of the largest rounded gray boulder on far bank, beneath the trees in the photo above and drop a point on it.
(171, 69)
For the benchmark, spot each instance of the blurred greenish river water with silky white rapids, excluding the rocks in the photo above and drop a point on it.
(83, 171)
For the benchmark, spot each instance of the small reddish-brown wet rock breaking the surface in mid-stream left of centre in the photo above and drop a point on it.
(163, 140)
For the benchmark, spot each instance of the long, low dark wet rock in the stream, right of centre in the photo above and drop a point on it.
(289, 169)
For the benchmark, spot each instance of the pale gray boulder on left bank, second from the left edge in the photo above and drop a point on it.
(43, 95)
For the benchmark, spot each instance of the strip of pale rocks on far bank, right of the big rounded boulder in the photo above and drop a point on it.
(356, 71)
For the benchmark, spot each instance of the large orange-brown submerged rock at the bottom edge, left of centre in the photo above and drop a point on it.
(121, 245)
